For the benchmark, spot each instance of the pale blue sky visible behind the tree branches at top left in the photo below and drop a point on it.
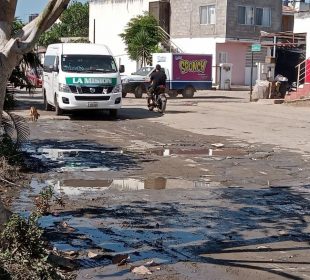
(27, 7)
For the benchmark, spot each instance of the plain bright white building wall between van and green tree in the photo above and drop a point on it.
(108, 19)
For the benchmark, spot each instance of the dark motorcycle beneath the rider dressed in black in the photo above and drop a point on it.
(157, 99)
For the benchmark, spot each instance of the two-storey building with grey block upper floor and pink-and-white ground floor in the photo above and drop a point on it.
(226, 29)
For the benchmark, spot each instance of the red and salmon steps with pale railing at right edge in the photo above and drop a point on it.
(303, 83)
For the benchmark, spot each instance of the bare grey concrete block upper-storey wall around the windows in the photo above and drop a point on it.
(185, 19)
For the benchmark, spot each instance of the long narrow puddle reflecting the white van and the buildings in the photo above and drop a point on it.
(89, 189)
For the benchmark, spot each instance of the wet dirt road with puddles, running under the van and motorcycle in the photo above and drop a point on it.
(217, 188)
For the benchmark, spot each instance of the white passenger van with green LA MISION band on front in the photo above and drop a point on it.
(80, 76)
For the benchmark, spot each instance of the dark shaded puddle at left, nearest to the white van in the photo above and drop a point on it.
(79, 156)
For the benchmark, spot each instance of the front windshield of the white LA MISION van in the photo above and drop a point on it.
(88, 63)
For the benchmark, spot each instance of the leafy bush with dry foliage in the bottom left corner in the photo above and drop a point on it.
(22, 251)
